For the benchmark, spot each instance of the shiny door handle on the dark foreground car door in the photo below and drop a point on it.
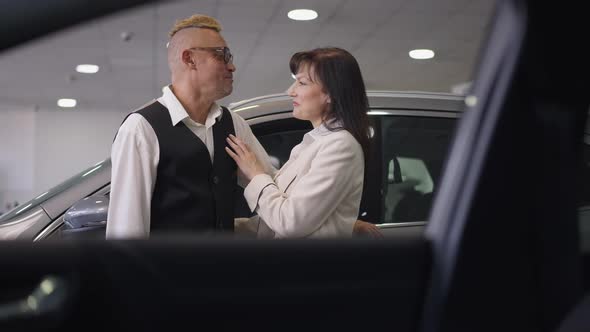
(49, 297)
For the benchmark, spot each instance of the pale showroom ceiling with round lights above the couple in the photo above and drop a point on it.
(378, 32)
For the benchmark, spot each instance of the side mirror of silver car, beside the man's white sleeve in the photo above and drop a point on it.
(90, 212)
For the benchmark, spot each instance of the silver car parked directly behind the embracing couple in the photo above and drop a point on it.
(411, 132)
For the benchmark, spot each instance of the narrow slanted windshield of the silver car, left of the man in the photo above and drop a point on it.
(39, 199)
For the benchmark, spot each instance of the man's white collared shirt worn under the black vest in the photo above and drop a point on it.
(135, 155)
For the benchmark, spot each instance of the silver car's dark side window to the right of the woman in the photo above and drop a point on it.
(413, 152)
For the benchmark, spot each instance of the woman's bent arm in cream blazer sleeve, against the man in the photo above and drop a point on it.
(335, 172)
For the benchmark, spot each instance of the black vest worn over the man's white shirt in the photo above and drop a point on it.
(190, 193)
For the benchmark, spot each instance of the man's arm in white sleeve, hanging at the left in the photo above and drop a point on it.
(134, 158)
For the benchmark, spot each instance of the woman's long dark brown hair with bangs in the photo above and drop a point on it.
(340, 75)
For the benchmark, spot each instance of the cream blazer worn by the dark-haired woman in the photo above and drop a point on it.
(317, 193)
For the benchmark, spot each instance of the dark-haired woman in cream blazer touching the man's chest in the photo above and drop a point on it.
(317, 193)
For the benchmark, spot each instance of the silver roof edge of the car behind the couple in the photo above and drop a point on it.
(378, 99)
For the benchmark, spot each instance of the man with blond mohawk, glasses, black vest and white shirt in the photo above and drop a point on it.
(170, 172)
